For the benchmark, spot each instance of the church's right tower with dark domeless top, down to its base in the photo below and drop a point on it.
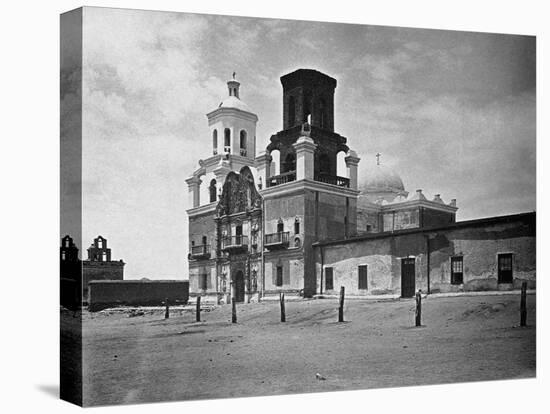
(306, 201)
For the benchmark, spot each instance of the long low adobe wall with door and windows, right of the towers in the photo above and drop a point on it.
(478, 244)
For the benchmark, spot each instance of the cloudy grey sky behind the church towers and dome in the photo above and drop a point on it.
(452, 113)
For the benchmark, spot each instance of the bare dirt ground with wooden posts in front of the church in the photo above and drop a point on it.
(146, 358)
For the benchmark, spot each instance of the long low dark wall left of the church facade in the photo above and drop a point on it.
(110, 293)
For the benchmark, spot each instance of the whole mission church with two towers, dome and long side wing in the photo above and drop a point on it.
(285, 221)
